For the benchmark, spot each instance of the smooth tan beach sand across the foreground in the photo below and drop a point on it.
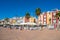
(16, 34)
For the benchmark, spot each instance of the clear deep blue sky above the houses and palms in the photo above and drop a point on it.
(11, 8)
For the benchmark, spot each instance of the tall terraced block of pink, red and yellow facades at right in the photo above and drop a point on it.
(48, 18)
